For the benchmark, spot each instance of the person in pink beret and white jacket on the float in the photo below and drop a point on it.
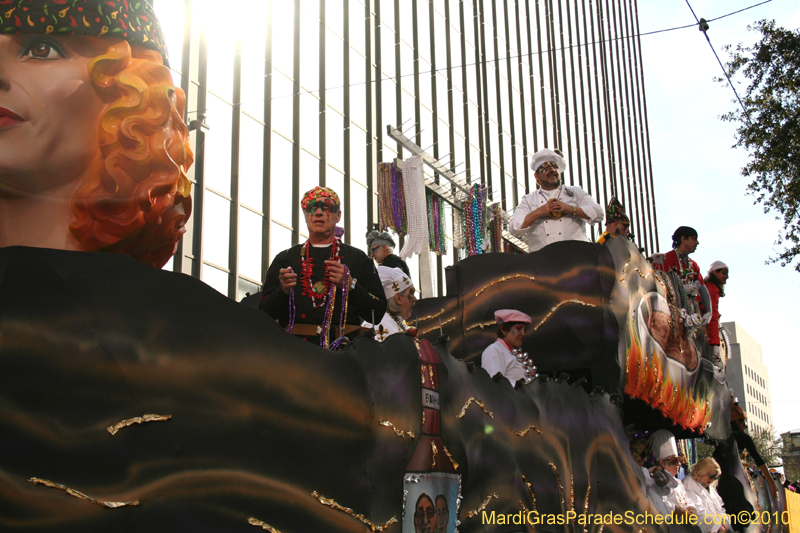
(505, 355)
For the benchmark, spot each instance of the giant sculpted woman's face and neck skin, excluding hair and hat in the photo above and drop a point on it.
(50, 111)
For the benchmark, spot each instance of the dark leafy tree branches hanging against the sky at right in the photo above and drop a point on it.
(769, 127)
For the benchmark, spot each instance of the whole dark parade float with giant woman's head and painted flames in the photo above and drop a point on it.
(135, 399)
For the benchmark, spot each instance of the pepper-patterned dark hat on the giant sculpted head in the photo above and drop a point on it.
(131, 20)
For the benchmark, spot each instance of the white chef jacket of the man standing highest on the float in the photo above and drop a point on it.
(547, 230)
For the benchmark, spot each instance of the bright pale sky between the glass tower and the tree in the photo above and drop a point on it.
(698, 180)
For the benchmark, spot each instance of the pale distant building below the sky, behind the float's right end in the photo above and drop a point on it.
(749, 378)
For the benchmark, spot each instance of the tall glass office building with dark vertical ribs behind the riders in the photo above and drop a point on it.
(283, 95)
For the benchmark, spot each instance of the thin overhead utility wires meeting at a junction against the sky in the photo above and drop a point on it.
(547, 51)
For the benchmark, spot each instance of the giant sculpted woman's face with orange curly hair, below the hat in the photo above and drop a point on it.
(94, 147)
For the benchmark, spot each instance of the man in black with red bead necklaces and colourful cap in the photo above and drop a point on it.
(307, 282)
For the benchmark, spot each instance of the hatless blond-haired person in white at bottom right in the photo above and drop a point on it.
(701, 489)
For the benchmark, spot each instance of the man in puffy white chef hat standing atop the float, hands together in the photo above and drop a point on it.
(553, 212)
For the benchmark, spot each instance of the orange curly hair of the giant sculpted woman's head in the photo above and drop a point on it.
(136, 199)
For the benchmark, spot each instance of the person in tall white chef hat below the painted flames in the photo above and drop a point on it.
(667, 495)
